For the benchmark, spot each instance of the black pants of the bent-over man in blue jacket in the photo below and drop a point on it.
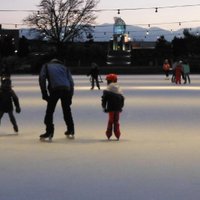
(65, 97)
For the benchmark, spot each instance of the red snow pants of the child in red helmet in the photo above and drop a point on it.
(113, 121)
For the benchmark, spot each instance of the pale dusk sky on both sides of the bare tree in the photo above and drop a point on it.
(167, 18)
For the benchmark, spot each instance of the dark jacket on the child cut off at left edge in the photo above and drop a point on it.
(7, 97)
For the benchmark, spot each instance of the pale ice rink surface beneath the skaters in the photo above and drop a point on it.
(157, 157)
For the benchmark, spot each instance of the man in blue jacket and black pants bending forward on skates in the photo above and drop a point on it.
(60, 86)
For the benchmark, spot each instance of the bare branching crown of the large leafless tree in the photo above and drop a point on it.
(63, 20)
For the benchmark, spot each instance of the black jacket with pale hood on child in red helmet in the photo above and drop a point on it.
(112, 99)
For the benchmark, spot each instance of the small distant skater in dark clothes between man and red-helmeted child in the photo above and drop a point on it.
(94, 73)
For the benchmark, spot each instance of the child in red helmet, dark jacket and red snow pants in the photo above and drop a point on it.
(112, 103)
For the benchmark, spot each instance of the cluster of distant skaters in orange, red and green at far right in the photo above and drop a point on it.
(180, 70)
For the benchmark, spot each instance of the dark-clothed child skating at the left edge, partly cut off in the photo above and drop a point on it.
(7, 97)
